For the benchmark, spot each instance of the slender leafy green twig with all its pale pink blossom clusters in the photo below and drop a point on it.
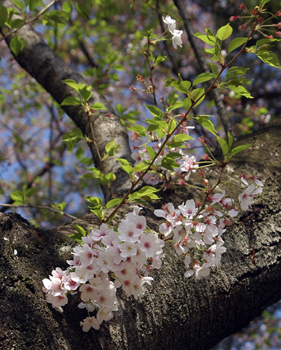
(109, 258)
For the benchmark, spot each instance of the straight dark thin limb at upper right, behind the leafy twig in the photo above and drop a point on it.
(203, 64)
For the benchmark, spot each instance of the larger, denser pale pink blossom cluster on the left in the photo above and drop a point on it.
(107, 260)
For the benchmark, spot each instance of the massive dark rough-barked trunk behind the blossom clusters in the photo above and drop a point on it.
(176, 313)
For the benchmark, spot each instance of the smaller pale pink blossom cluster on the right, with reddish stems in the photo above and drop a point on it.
(197, 230)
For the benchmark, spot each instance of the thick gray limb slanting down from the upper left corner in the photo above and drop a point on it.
(49, 70)
